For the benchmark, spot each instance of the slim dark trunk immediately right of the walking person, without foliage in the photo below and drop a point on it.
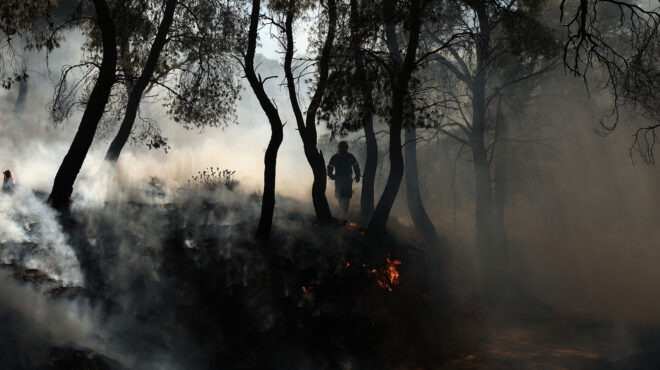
(371, 163)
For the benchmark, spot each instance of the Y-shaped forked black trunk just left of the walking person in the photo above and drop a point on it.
(307, 125)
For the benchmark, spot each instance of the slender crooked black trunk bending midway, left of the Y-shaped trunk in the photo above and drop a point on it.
(277, 132)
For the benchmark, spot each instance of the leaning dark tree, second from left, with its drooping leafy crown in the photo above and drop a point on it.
(189, 59)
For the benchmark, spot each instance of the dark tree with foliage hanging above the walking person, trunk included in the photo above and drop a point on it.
(348, 104)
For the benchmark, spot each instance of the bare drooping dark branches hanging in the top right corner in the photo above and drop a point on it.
(623, 39)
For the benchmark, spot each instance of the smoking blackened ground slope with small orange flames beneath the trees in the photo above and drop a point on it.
(180, 283)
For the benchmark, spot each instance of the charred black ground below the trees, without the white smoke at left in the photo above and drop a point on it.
(317, 298)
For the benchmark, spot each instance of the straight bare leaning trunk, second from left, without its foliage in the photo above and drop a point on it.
(137, 90)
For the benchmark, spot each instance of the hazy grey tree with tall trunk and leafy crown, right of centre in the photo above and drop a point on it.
(497, 34)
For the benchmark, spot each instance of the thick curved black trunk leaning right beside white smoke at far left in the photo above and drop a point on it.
(70, 167)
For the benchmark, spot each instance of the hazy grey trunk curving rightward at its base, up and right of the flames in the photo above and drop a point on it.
(413, 195)
